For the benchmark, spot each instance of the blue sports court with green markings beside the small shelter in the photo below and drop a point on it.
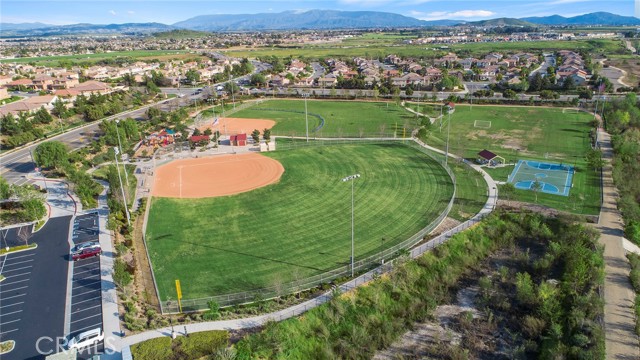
(554, 178)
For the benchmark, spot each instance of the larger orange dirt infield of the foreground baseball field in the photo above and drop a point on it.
(215, 176)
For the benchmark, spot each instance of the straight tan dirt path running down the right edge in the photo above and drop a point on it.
(619, 317)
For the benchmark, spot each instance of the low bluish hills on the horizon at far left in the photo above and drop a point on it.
(79, 29)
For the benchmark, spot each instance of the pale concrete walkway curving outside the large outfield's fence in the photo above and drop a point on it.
(120, 346)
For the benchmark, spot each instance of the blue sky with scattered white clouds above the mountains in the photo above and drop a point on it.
(171, 11)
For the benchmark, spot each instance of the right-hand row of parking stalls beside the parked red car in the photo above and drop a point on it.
(86, 289)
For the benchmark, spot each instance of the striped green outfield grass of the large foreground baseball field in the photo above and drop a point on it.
(298, 227)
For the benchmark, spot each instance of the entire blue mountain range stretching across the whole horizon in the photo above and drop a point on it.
(294, 20)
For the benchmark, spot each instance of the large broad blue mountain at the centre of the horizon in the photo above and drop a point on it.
(312, 19)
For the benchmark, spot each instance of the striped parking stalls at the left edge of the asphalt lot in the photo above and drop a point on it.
(13, 290)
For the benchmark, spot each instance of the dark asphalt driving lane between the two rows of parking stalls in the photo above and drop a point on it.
(42, 315)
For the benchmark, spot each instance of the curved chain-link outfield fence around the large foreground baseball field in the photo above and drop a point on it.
(363, 265)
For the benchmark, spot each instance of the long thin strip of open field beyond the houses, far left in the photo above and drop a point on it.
(91, 58)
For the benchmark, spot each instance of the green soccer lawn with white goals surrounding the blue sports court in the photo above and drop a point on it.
(528, 133)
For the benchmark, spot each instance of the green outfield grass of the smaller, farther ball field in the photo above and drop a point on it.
(342, 118)
